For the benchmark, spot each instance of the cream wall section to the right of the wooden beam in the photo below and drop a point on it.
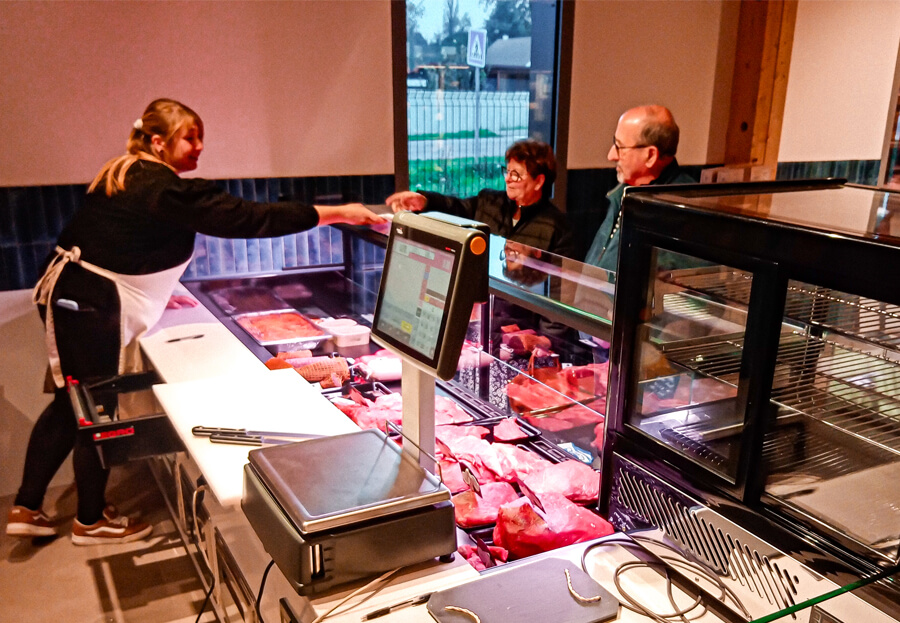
(839, 87)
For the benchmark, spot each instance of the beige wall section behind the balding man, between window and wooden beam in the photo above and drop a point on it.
(627, 53)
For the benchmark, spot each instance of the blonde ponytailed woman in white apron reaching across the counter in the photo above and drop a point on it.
(110, 278)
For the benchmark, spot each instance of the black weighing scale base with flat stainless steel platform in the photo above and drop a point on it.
(338, 509)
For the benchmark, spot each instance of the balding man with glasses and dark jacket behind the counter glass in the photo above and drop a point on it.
(643, 149)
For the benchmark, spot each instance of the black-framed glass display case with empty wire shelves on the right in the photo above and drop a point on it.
(754, 404)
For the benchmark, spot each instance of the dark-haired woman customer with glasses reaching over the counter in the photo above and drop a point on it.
(523, 212)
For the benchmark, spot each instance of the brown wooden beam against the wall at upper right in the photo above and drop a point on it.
(759, 84)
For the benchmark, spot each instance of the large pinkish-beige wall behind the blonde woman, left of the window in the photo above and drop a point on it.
(284, 88)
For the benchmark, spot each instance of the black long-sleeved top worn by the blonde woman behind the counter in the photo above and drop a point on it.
(151, 225)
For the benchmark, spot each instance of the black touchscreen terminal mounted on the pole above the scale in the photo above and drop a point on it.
(426, 295)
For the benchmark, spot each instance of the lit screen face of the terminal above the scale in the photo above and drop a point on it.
(417, 286)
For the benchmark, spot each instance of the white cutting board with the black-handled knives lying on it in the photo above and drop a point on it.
(275, 400)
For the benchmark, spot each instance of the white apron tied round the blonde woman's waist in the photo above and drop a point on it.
(142, 299)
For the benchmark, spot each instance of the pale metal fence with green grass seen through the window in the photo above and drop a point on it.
(446, 155)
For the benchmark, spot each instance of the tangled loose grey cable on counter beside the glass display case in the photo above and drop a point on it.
(634, 605)
